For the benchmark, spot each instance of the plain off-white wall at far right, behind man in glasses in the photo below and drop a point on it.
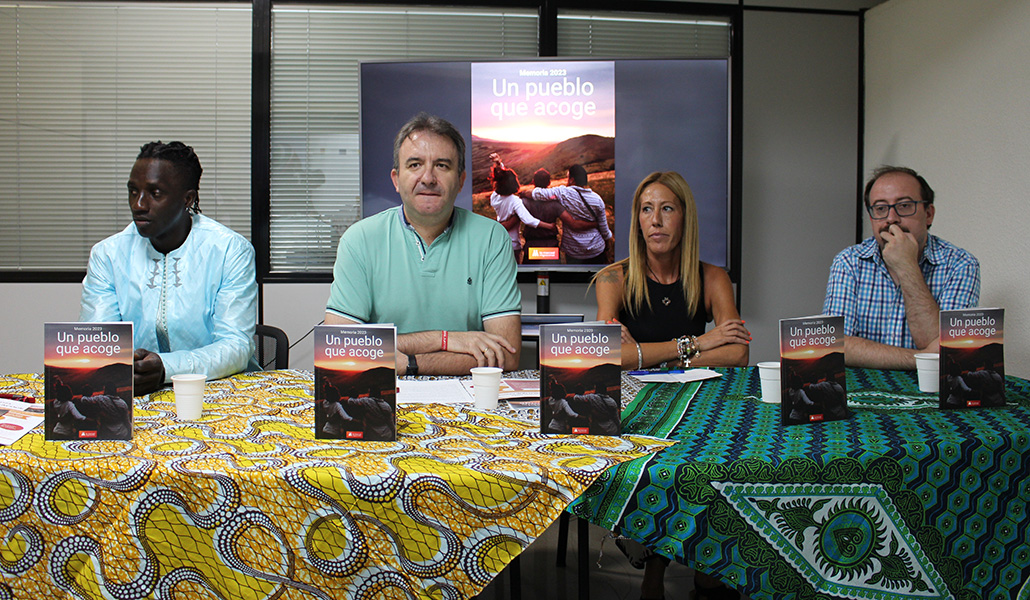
(948, 85)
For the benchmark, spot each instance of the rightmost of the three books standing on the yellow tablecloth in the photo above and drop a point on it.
(580, 379)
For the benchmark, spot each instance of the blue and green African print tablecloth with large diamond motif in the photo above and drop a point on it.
(902, 502)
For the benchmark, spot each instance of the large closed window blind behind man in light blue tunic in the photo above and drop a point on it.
(84, 86)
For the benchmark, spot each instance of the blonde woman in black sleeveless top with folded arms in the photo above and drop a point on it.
(664, 297)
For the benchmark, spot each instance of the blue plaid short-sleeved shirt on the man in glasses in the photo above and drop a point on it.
(862, 290)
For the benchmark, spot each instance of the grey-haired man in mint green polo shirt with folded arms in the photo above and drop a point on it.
(443, 275)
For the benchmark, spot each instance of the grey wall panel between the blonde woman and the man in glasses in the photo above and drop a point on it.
(801, 153)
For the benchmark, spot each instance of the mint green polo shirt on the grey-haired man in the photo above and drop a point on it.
(386, 274)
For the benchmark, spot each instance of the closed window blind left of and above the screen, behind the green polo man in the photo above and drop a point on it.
(317, 51)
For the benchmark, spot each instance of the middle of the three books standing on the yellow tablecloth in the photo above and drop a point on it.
(356, 382)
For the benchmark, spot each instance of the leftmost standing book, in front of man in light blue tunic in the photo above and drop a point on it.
(88, 381)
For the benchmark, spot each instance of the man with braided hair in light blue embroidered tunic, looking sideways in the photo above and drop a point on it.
(186, 281)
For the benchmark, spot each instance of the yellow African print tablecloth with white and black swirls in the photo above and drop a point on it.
(247, 504)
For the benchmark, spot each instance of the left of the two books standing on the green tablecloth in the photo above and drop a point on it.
(812, 376)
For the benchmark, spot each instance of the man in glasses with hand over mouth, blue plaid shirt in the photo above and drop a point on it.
(891, 288)
